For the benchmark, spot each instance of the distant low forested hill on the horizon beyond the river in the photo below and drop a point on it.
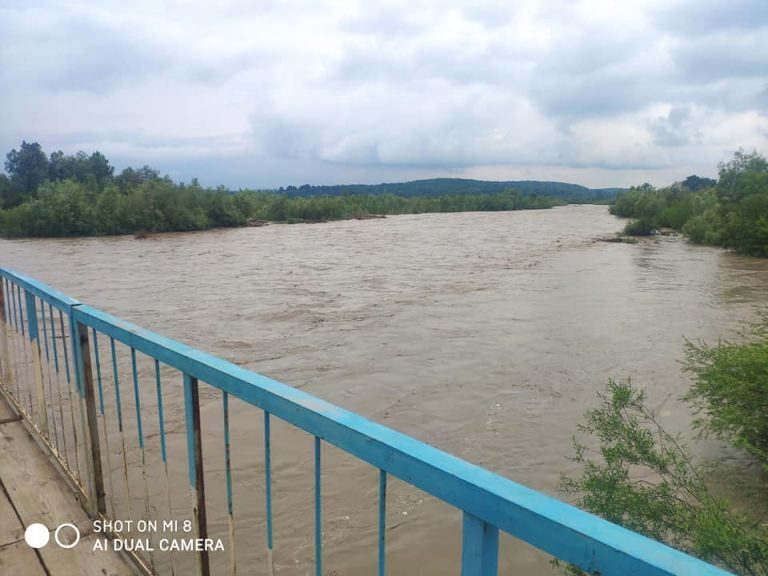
(458, 186)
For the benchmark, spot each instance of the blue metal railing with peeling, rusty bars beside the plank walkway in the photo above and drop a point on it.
(488, 502)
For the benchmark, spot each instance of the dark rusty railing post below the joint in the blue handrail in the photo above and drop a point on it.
(97, 504)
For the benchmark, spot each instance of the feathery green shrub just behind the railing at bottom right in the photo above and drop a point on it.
(643, 478)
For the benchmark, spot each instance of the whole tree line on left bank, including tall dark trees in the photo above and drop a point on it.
(80, 195)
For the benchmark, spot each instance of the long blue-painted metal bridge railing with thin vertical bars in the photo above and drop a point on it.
(76, 374)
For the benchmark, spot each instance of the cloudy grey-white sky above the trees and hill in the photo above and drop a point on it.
(260, 94)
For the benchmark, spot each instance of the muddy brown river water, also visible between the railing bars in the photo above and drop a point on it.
(485, 334)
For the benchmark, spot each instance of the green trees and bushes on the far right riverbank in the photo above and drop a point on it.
(731, 212)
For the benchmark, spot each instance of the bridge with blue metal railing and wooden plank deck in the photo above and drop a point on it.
(85, 446)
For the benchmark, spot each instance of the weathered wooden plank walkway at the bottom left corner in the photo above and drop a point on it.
(32, 491)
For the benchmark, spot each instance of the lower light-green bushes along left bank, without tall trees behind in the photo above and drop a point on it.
(68, 209)
